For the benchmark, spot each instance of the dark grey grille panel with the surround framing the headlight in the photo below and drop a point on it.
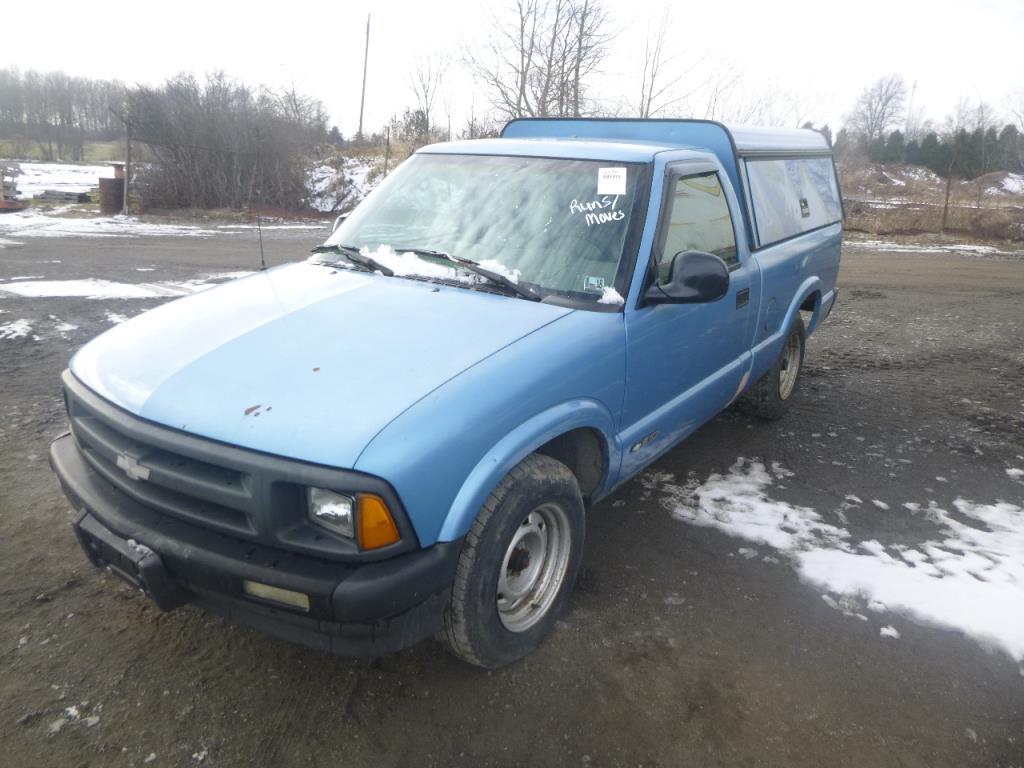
(243, 493)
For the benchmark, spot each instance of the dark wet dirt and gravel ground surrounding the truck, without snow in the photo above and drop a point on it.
(676, 652)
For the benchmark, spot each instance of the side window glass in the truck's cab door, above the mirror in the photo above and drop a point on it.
(698, 220)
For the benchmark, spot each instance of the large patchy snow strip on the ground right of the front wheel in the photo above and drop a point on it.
(967, 576)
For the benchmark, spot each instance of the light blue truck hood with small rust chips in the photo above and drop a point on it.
(301, 361)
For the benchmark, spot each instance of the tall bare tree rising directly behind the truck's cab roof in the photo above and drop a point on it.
(539, 57)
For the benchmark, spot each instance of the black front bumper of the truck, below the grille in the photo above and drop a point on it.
(355, 609)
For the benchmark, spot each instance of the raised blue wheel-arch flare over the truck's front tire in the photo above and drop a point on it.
(520, 444)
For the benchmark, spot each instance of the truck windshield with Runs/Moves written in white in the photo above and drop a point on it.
(562, 226)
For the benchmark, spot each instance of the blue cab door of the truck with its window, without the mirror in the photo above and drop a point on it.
(687, 362)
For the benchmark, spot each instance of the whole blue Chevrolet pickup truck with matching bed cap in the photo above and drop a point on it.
(401, 437)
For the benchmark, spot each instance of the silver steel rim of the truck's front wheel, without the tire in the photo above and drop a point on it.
(534, 568)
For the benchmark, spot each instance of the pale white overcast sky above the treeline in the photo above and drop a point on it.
(826, 53)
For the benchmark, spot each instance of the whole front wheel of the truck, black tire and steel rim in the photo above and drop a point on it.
(518, 566)
